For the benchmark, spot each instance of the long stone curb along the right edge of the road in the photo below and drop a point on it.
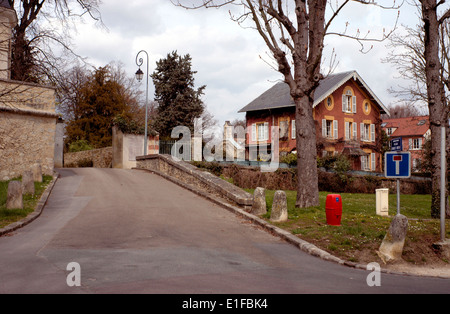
(281, 233)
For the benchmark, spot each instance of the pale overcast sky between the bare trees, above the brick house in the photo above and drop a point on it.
(225, 55)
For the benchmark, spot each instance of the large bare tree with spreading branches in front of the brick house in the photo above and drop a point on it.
(294, 32)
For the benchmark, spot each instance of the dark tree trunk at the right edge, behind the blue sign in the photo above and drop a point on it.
(436, 100)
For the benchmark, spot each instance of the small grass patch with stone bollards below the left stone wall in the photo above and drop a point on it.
(29, 202)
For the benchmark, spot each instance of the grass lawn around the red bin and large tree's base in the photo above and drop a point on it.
(362, 231)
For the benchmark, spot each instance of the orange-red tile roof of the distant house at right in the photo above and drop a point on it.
(410, 126)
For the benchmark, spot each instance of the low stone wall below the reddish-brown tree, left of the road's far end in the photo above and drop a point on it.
(98, 158)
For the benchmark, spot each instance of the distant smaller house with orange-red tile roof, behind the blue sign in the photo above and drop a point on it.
(413, 131)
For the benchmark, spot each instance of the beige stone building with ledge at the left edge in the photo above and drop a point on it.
(27, 113)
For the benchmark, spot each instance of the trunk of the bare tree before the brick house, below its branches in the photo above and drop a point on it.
(308, 183)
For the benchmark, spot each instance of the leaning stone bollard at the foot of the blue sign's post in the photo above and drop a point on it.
(392, 246)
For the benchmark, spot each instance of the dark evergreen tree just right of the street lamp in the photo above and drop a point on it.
(178, 101)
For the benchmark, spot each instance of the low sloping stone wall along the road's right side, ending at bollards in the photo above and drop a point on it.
(187, 174)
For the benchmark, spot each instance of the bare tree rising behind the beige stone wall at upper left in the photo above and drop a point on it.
(32, 59)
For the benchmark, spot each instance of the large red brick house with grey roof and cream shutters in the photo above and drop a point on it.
(347, 115)
